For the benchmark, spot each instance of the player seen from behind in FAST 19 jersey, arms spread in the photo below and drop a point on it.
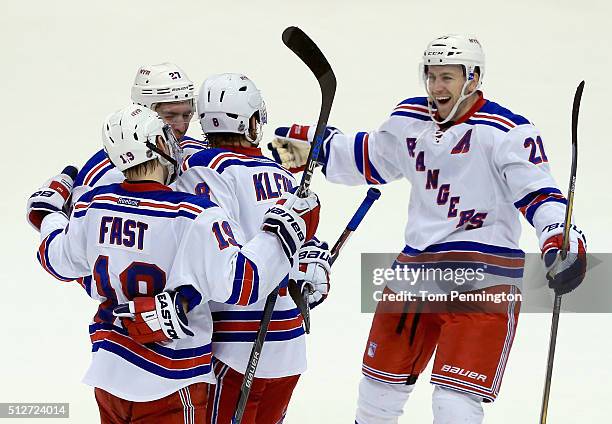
(157, 257)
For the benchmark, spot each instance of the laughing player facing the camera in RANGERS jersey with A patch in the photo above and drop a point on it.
(474, 166)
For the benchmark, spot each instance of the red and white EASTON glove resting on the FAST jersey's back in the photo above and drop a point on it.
(155, 319)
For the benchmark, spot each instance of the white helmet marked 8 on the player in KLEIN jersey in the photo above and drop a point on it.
(226, 103)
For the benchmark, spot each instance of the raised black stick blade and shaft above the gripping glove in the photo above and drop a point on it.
(308, 52)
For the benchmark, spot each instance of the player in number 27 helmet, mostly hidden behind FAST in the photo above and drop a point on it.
(166, 89)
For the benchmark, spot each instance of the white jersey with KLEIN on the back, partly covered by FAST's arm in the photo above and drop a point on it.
(246, 184)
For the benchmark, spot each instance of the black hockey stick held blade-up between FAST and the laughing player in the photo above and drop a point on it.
(296, 40)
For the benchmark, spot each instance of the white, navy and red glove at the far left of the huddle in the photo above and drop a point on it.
(51, 197)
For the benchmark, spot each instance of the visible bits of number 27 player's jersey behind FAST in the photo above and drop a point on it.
(99, 171)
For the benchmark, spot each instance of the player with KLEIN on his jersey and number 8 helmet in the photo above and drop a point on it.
(236, 176)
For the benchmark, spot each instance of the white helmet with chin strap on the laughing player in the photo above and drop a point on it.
(455, 49)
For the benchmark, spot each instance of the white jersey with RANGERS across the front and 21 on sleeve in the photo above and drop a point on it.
(469, 183)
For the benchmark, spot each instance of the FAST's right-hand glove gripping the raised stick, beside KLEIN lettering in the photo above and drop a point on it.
(293, 220)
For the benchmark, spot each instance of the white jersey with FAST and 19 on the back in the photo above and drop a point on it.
(139, 239)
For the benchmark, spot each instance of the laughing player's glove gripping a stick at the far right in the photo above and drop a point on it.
(564, 275)
